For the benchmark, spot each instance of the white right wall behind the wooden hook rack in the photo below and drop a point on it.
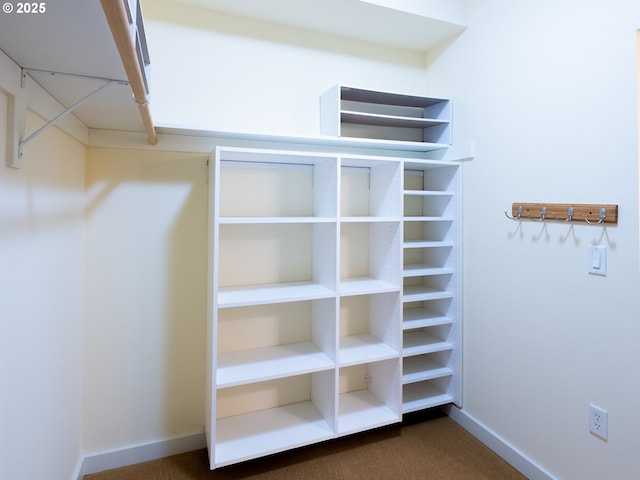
(548, 91)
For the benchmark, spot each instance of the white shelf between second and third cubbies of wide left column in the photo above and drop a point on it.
(276, 293)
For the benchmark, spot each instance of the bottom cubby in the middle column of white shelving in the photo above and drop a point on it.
(369, 396)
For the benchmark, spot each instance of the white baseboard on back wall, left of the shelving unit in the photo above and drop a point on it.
(143, 452)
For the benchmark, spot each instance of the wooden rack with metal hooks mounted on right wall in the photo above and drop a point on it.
(592, 213)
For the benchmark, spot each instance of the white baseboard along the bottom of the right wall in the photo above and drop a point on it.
(500, 446)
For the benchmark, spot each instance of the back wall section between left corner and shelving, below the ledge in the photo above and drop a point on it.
(146, 237)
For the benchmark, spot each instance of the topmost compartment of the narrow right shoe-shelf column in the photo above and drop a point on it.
(434, 176)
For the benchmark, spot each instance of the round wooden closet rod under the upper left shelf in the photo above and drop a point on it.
(116, 14)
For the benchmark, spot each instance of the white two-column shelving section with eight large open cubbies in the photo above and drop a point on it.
(305, 335)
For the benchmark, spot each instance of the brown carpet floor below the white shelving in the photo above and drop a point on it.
(425, 448)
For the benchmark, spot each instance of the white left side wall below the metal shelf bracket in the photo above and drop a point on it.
(41, 305)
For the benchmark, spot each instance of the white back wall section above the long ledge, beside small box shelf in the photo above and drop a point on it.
(222, 72)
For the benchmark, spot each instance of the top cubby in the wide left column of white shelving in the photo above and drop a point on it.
(269, 183)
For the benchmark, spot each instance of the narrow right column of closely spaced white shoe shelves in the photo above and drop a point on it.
(431, 290)
